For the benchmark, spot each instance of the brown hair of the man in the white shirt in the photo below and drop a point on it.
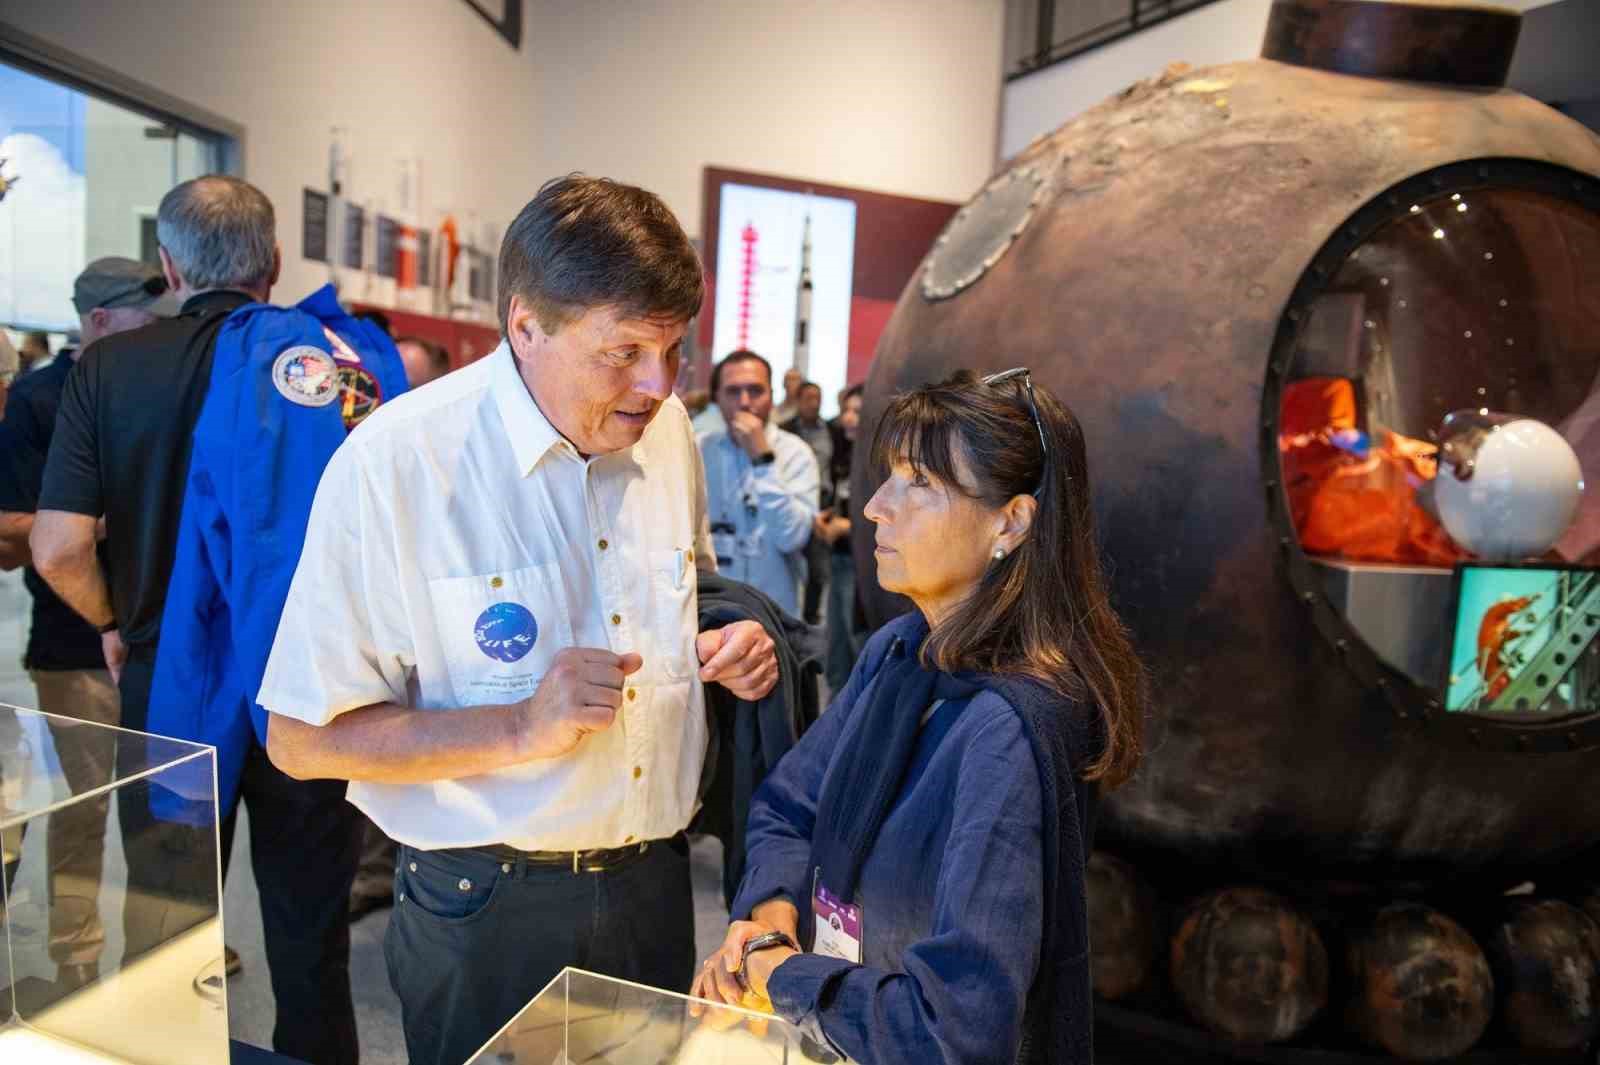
(591, 242)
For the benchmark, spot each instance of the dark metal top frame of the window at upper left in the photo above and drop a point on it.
(38, 57)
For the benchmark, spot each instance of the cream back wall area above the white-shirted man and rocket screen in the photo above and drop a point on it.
(890, 95)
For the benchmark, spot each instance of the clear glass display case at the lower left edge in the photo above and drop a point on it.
(111, 906)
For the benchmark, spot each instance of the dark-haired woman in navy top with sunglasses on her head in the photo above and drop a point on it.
(926, 840)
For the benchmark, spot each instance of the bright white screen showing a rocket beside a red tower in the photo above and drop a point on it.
(785, 274)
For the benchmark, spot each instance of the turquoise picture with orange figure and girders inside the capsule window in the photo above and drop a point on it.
(1526, 640)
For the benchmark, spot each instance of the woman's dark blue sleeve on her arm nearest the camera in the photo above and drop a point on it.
(964, 987)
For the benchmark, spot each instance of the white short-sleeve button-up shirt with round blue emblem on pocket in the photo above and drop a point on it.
(457, 543)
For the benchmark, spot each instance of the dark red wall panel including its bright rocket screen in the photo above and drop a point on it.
(807, 274)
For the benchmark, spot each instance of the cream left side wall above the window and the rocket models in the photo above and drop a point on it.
(406, 78)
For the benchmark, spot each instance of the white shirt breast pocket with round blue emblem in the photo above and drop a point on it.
(500, 632)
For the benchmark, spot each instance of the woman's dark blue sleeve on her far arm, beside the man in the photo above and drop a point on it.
(783, 812)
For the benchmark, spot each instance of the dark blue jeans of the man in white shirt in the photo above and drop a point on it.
(473, 939)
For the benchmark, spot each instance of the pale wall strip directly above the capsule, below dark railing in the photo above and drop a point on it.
(1039, 103)
